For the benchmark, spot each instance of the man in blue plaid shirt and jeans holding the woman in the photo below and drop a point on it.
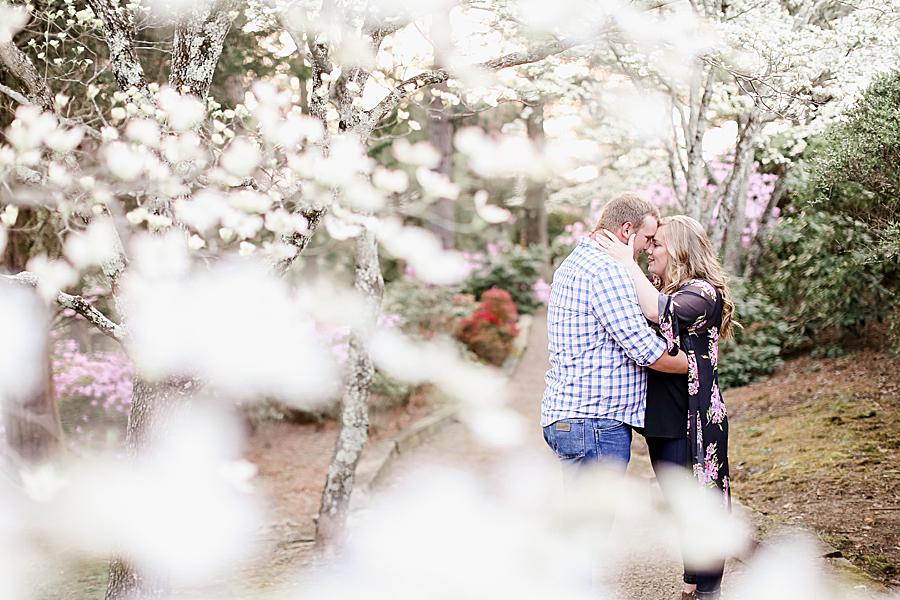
(600, 344)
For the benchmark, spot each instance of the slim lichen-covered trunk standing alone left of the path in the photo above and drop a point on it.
(355, 405)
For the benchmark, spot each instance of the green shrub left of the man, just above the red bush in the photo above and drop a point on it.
(515, 271)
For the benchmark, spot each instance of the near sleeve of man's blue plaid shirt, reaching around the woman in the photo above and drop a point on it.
(614, 302)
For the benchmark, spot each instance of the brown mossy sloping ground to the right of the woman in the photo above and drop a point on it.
(818, 445)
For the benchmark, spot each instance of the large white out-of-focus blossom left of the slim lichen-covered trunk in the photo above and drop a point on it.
(234, 325)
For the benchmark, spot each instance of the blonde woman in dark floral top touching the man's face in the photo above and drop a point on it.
(685, 424)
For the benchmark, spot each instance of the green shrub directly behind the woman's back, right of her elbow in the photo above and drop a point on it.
(755, 349)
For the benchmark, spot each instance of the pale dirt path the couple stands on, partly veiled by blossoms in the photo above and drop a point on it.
(455, 446)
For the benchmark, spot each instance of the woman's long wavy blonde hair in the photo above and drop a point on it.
(691, 256)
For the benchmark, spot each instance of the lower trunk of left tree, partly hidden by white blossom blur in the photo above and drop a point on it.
(152, 403)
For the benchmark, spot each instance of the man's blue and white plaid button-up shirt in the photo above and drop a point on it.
(600, 342)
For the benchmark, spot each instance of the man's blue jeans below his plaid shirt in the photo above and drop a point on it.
(590, 442)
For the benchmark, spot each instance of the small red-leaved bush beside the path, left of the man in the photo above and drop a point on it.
(490, 330)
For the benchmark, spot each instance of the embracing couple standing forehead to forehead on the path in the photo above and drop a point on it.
(630, 354)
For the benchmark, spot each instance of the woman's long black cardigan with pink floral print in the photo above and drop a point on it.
(690, 319)
